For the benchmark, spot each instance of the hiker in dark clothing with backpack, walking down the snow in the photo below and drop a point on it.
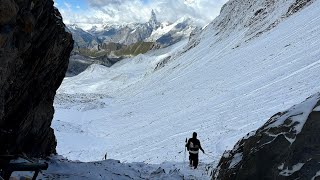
(193, 147)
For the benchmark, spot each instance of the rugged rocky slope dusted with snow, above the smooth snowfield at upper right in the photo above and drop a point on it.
(251, 19)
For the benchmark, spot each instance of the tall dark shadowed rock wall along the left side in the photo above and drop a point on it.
(34, 54)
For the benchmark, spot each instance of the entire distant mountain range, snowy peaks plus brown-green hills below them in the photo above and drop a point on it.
(110, 43)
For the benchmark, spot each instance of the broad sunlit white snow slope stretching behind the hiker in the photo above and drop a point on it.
(223, 88)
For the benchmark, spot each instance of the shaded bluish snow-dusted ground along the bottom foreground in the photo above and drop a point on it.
(61, 168)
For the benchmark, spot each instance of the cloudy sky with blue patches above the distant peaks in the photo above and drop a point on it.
(88, 13)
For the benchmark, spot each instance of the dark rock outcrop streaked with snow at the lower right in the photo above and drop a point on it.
(286, 147)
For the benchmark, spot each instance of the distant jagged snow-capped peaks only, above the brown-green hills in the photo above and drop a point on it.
(163, 33)
